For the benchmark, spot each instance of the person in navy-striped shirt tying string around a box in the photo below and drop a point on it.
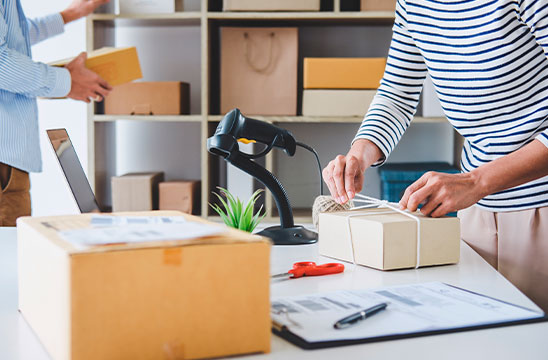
(488, 60)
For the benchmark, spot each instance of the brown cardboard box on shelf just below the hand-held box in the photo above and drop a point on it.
(149, 98)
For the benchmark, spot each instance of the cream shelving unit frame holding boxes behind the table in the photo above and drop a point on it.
(100, 29)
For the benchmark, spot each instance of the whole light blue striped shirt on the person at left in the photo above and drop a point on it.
(22, 80)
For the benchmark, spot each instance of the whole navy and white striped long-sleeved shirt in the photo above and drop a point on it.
(488, 60)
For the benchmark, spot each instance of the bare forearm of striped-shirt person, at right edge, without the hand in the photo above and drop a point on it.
(524, 165)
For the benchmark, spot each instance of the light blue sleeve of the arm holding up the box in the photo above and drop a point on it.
(20, 75)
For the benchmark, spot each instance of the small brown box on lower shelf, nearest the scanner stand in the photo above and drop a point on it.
(183, 196)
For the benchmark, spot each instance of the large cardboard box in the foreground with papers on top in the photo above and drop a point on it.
(183, 299)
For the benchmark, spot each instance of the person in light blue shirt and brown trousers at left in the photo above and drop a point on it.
(21, 81)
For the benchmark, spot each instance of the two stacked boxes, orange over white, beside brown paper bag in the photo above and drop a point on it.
(340, 86)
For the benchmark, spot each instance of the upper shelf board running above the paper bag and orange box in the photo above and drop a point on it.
(316, 15)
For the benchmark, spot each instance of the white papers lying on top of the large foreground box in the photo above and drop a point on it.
(106, 230)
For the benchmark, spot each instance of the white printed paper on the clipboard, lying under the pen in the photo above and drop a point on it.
(411, 309)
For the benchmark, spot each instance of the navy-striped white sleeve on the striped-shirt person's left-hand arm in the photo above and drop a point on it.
(398, 95)
